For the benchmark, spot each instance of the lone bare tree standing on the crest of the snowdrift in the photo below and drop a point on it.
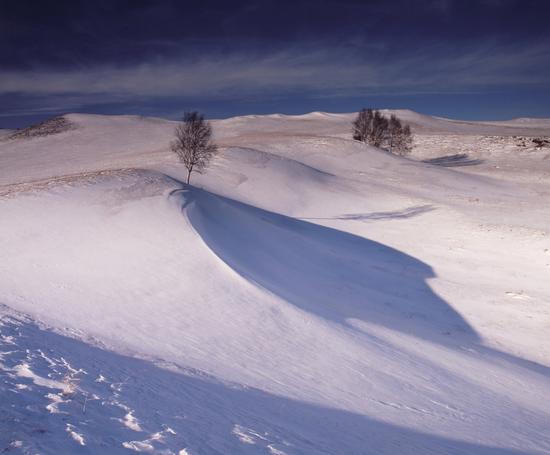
(193, 143)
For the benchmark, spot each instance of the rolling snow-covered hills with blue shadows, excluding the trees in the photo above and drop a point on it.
(306, 295)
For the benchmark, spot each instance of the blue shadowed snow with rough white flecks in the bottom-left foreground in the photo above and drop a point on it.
(120, 403)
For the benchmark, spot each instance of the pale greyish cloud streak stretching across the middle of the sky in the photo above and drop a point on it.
(327, 72)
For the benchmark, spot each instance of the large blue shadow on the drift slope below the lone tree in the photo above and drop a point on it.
(333, 274)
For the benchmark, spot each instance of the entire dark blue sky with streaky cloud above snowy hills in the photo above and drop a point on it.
(483, 59)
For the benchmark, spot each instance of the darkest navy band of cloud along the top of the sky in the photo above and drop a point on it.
(73, 33)
